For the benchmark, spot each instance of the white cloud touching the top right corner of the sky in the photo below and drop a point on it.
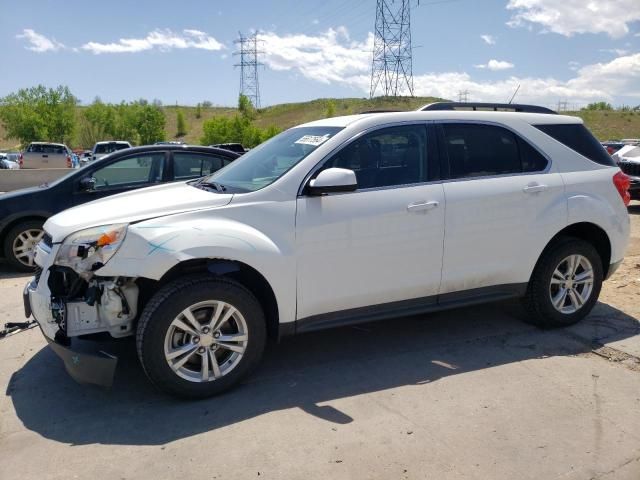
(568, 17)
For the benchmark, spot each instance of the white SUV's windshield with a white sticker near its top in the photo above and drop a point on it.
(270, 160)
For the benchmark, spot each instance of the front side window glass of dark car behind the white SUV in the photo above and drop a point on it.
(131, 171)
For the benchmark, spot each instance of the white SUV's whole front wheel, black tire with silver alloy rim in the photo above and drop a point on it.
(199, 336)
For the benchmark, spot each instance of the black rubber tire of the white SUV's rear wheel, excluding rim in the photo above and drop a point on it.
(537, 302)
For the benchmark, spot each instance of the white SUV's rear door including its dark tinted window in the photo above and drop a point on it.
(503, 206)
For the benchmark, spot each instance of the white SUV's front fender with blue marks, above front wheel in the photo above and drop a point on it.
(152, 248)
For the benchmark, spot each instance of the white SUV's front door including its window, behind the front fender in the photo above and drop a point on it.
(381, 243)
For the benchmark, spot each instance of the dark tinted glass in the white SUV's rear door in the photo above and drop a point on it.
(477, 150)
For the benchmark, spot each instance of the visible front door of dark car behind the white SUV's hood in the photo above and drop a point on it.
(124, 174)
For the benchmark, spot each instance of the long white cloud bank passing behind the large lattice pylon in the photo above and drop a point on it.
(334, 58)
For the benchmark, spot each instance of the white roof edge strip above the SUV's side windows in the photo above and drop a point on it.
(389, 117)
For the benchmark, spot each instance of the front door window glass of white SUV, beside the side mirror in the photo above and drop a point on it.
(387, 157)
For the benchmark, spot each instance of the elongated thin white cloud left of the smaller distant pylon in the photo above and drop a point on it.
(163, 40)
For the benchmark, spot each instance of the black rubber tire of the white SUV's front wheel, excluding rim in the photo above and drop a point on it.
(167, 304)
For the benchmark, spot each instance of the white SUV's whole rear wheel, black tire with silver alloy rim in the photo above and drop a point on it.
(565, 284)
